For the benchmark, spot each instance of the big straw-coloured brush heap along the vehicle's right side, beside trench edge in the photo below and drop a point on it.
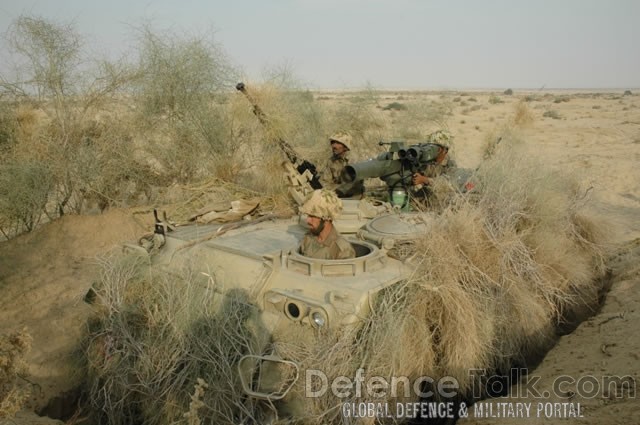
(510, 257)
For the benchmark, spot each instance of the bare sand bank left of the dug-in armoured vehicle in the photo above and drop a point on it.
(44, 277)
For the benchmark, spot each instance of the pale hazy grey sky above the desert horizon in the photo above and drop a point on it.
(387, 43)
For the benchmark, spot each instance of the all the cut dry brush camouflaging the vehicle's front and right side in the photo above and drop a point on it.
(495, 275)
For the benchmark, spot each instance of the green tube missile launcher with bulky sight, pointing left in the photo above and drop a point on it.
(395, 167)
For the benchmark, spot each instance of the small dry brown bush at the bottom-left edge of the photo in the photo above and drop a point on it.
(13, 391)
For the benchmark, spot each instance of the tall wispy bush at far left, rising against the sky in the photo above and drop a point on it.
(71, 93)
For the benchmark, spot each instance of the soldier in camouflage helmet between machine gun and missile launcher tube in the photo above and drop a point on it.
(332, 175)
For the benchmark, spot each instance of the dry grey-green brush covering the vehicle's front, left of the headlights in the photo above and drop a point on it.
(155, 336)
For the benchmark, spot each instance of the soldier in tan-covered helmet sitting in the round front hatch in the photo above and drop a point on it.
(323, 240)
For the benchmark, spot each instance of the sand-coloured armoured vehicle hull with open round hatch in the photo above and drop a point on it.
(293, 294)
